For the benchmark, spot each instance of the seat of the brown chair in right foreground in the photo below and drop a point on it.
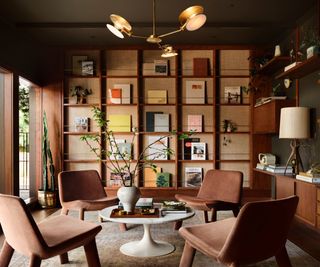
(208, 238)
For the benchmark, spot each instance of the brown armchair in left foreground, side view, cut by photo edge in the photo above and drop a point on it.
(52, 237)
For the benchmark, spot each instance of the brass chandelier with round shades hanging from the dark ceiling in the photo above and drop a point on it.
(190, 19)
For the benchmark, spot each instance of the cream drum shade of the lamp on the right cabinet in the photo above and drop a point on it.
(294, 123)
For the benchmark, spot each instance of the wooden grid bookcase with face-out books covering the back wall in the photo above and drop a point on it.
(171, 78)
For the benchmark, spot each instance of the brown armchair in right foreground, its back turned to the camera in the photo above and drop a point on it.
(258, 233)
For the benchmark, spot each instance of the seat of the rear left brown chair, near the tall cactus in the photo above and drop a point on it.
(96, 204)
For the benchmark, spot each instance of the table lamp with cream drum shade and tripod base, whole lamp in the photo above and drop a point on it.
(295, 125)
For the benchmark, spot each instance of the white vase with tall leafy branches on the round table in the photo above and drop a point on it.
(121, 162)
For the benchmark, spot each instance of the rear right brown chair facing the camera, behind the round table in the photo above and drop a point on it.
(220, 190)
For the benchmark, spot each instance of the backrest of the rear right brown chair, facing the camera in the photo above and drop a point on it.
(222, 185)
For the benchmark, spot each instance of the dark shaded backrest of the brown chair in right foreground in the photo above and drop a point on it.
(260, 231)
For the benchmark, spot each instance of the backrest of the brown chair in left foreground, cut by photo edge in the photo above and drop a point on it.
(20, 230)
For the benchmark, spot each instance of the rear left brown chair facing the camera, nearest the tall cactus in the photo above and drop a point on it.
(83, 191)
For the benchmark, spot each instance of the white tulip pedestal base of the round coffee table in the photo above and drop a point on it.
(147, 247)
